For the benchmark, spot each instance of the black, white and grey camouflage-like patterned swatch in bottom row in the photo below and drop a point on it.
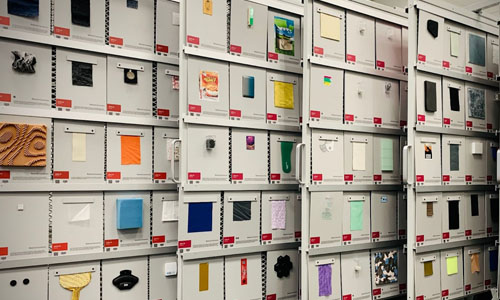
(386, 267)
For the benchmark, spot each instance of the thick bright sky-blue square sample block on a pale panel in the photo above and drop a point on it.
(129, 213)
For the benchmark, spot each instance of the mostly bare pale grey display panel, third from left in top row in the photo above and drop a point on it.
(131, 28)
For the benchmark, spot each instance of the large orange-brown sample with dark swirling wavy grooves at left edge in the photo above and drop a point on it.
(23, 145)
